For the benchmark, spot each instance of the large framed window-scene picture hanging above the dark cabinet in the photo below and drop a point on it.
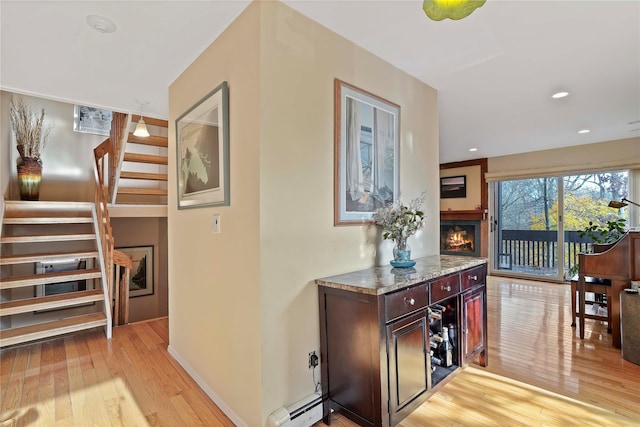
(366, 154)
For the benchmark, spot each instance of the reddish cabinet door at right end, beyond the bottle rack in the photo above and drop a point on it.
(473, 324)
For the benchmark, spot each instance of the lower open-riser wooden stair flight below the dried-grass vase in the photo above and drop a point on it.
(51, 278)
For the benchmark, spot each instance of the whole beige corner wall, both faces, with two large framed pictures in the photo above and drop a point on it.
(245, 324)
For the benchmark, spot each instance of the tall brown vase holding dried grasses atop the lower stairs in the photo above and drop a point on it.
(31, 138)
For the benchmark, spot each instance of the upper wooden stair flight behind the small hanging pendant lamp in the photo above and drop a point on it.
(143, 172)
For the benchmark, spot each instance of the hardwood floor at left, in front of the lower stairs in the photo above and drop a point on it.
(86, 380)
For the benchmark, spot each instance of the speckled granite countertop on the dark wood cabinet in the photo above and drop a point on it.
(382, 280)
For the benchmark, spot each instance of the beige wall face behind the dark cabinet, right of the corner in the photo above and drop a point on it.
(299, 243)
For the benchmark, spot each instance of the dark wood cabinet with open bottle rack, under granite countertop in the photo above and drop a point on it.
(375, 347)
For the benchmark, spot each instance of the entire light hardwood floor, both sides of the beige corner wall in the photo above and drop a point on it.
(539, 374)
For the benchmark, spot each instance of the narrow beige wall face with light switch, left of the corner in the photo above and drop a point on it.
(214, 279)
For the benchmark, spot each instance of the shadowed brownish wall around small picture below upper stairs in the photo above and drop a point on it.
(129, 232)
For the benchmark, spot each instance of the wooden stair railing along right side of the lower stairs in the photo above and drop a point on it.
(111, 261)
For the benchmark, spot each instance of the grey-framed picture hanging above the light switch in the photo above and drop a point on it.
(202, 143)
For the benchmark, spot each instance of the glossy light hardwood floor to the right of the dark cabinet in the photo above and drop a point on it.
(540, 373)
